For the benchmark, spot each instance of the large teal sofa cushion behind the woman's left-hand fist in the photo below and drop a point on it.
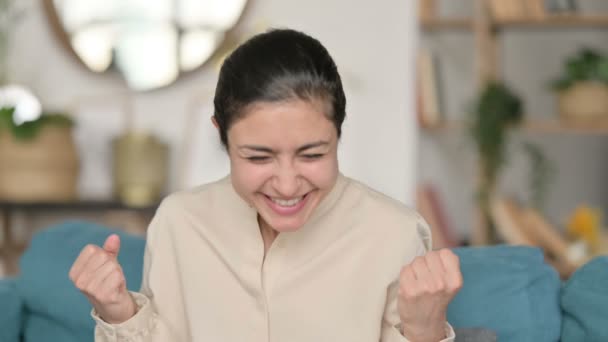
(59, 309)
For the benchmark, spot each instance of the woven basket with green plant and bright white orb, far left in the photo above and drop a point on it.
(38, 158)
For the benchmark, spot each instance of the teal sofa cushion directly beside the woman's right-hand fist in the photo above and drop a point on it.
(509, 290)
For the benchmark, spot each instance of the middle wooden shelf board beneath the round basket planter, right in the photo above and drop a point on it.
(553, 126)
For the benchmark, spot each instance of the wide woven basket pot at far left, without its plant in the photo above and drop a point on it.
(42, 169)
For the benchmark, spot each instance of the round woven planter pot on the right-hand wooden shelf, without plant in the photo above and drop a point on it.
(584, 102)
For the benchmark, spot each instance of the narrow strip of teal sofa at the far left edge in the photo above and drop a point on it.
(12, 311)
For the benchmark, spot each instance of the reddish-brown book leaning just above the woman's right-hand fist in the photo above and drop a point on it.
(431, 208)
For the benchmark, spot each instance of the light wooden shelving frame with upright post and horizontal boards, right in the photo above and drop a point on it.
(486, 31)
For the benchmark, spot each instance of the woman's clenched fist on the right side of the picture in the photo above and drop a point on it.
(426, 287)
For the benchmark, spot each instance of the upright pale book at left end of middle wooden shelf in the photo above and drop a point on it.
(427, 89)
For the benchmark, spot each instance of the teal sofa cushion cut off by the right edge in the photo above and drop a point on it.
(584, 302)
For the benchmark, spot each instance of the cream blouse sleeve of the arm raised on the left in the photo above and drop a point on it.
(159, 317)
